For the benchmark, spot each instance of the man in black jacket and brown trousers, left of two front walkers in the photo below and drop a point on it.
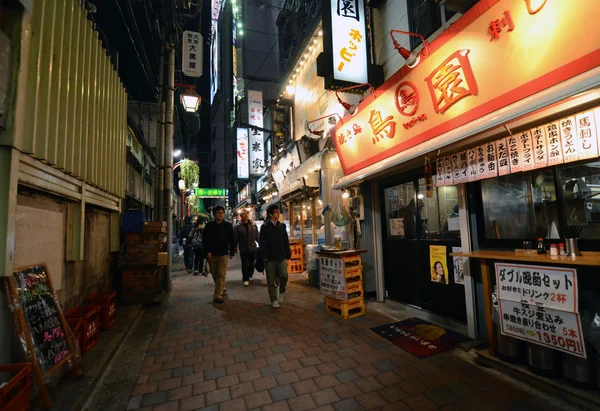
(219, 242)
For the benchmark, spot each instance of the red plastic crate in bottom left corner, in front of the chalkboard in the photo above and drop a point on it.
(14, 396)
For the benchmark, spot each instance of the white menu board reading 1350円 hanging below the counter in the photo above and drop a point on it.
(539, 304)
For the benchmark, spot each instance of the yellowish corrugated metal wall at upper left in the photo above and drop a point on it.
(76, 106)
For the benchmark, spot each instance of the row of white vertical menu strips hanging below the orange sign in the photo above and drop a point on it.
(569, 139)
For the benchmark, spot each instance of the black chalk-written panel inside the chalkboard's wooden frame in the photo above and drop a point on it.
(41, 313)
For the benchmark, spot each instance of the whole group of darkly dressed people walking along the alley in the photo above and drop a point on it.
(218, 241)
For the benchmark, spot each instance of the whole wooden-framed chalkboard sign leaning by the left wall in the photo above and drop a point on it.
(46, 338)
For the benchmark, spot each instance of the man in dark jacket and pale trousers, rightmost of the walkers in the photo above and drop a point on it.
(275, 247)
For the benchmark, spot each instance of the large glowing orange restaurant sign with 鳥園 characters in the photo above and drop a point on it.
(498, 53)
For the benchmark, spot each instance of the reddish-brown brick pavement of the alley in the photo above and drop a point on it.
(246, 355)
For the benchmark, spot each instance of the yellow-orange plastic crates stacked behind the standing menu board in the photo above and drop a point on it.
(355, 304)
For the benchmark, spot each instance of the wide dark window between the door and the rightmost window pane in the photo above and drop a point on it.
(520, 206)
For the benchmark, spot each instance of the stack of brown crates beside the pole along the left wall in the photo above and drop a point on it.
(142, 262)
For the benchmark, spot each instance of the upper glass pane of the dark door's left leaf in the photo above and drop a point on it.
(401, 211)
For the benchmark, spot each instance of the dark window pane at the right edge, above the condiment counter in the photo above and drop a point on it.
(580, 185)
